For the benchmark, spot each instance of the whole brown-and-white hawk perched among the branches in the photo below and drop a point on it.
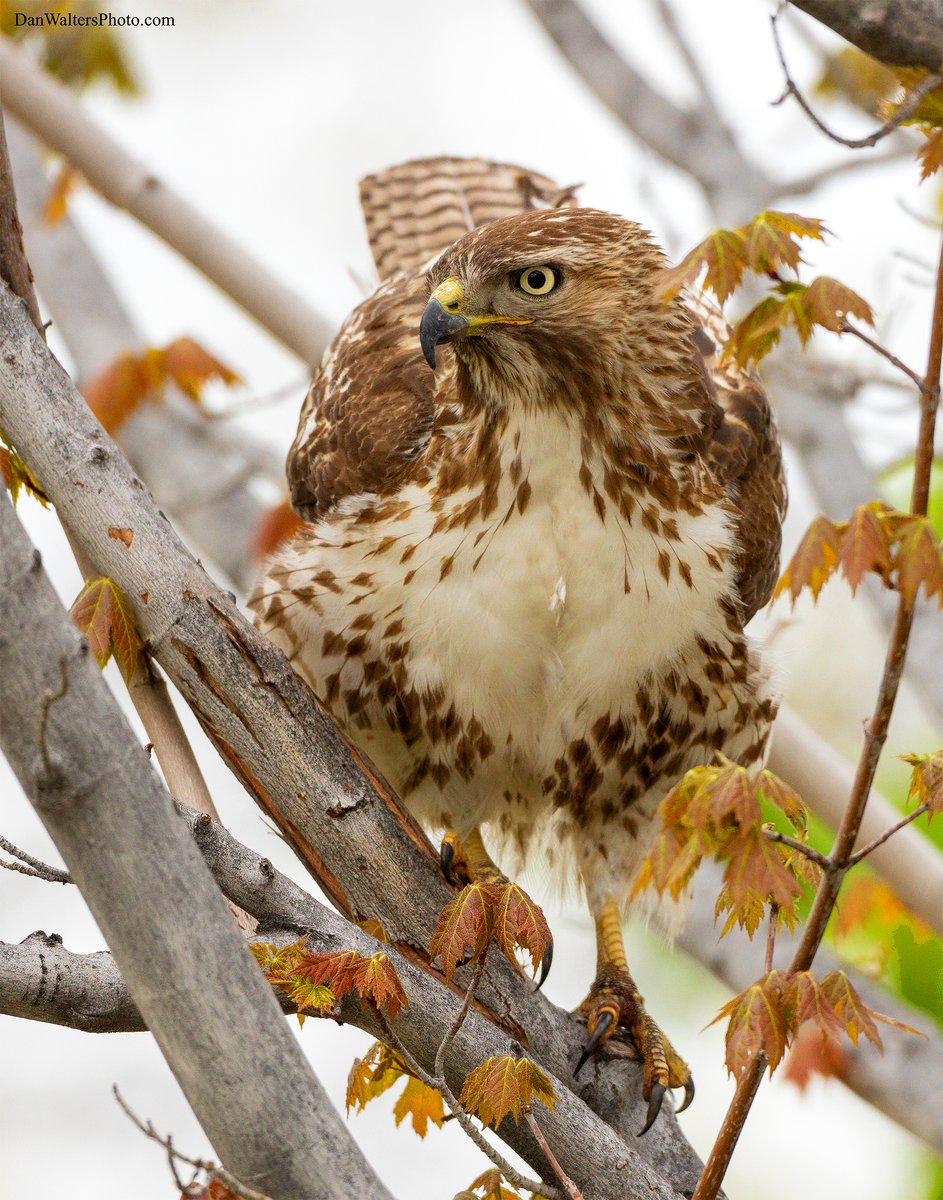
(527, 574)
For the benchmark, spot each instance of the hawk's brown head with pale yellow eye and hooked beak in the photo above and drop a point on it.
(558, 304)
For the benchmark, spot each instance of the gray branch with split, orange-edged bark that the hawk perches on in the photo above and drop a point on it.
(333, 807)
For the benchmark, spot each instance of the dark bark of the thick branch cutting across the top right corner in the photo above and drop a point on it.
(906, 33)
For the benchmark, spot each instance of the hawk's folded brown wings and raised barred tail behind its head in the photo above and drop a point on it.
(369, 415)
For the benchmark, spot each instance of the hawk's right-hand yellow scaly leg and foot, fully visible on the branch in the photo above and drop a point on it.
(615, 1003)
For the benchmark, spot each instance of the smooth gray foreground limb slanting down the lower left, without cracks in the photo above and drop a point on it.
(116, 826)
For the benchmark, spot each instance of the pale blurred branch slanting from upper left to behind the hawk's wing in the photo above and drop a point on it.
(53, 115)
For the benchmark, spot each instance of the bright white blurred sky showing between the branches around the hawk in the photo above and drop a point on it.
(266, 113)
